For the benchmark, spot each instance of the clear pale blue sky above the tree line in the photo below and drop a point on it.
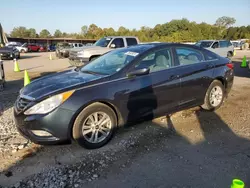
(70, 15)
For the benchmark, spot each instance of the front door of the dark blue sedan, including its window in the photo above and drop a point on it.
(153, 94)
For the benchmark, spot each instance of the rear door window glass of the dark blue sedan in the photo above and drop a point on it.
(188, 56)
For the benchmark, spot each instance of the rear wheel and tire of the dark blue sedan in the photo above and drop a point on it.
(215, 96)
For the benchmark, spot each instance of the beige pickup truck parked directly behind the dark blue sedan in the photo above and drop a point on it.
(81, 56)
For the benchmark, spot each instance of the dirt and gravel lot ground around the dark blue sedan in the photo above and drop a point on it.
(191, 148)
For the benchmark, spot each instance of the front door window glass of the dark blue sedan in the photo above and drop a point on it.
(156, 61)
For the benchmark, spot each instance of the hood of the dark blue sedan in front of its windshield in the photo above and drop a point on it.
(52, 84)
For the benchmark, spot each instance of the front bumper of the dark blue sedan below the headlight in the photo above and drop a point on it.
(57, 123)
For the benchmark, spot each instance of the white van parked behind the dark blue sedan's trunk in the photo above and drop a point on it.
(223, 48)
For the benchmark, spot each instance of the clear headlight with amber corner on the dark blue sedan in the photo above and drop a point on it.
(49, 104)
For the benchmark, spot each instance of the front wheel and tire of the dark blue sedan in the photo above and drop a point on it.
(94, 126)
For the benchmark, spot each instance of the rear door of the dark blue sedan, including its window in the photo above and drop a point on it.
(195, 75)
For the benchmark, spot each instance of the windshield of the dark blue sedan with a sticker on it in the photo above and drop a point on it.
(113, 61)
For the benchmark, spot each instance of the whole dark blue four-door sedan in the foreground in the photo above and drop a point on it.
(129, 84)
